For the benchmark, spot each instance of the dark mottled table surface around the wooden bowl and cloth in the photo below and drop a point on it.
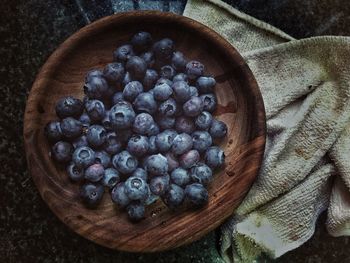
(29, 31)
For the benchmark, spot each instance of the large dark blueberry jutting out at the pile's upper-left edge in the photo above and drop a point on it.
(69, 107)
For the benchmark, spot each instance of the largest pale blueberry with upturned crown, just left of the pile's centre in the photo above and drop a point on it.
(121, 115)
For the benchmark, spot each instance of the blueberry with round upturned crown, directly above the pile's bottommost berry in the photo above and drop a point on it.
(136, 188)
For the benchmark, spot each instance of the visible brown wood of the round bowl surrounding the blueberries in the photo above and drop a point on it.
(240, 106)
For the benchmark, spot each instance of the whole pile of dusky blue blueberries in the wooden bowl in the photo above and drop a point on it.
(143, 130)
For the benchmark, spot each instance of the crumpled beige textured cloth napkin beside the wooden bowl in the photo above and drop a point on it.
(305, 85)
